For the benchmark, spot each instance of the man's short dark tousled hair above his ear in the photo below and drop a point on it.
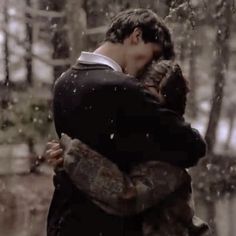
(153, 29)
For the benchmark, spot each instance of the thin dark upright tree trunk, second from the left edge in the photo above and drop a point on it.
(29, 40)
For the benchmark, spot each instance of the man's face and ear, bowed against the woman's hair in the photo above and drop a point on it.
(139, 54)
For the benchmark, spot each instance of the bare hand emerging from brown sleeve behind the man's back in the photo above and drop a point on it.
(54, 153)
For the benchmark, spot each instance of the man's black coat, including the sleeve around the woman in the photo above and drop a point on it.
(111, 113)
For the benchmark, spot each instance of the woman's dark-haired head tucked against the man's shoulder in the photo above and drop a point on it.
(165, 79)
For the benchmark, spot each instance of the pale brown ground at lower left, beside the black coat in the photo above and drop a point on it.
(24, 201)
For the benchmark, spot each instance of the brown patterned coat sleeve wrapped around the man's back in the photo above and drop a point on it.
(125, 194)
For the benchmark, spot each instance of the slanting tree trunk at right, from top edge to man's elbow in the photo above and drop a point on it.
(220, 65)
